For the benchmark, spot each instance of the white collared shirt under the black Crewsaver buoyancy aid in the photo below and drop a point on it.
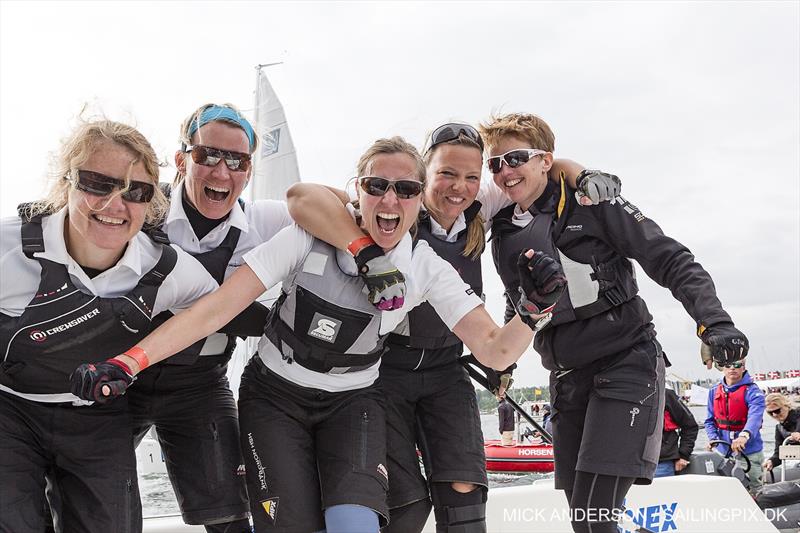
(20, 276)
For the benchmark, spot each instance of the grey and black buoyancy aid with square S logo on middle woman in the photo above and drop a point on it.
(323, 320)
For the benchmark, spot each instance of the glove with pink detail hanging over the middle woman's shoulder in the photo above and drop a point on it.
(386, 284)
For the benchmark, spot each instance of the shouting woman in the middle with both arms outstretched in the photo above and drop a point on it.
(310, 407)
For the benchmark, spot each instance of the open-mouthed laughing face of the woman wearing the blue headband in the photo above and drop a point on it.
(214, 190)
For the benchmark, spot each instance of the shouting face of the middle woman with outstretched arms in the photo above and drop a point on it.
(388, 218)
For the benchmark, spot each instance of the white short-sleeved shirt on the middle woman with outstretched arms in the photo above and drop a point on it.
(428, 278)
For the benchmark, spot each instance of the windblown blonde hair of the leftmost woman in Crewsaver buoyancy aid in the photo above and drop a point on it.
(77, 148)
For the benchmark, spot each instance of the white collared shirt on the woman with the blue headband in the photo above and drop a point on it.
(258, 223)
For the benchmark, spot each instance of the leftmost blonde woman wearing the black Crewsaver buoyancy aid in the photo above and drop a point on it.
(79, 281)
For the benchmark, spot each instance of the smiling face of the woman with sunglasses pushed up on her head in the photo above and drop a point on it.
(453, 181)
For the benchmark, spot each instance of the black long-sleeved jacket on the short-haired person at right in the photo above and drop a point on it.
(600, 234)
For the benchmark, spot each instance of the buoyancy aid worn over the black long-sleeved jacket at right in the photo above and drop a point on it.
(593, 286)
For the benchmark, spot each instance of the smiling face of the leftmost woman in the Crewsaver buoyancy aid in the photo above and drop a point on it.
(99, 227)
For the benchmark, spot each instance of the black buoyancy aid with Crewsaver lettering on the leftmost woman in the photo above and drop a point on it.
(63, 327)
